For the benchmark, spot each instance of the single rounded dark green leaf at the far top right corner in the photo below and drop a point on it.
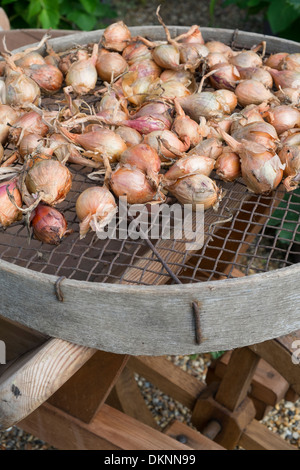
(280, 15)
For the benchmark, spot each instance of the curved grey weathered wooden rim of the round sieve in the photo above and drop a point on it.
(157, 320)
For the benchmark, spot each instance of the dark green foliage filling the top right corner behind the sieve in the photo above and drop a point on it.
(282, 15)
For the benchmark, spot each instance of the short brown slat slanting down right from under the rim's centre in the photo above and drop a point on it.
(172, 380)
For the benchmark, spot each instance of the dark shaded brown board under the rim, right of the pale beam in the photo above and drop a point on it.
(86, 391)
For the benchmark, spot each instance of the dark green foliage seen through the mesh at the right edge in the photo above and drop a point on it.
(286, 218)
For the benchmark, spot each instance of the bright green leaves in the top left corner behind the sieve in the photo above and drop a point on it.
(85, 15)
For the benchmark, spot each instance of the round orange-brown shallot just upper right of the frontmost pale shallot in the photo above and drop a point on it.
(133, 184)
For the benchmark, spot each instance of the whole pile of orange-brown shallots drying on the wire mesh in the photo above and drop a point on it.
(156, 118)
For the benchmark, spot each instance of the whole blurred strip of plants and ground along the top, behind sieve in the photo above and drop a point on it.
(278, 17)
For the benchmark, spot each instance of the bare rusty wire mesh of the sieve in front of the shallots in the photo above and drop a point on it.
(248, 234)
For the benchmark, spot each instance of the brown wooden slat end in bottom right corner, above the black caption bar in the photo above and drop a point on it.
(257, 437)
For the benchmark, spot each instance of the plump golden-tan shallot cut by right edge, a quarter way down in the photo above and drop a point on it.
(283, 118)
